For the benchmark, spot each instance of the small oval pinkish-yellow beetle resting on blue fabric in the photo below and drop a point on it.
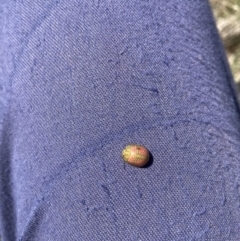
(136, 155)
